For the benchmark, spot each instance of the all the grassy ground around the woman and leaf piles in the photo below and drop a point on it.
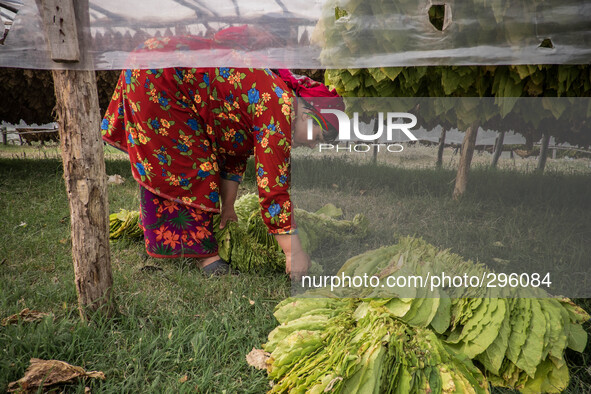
(177, 331)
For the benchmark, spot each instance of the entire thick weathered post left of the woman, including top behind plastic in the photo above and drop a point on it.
(83, 157)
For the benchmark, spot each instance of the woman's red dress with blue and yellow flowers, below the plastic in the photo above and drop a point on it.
(187, 129)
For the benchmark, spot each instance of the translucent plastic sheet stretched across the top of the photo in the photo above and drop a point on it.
(309, 33)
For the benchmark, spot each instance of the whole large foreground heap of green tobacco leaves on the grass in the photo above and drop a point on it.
(426, 343)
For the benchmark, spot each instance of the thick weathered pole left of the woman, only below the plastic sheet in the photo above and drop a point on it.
(86, 185)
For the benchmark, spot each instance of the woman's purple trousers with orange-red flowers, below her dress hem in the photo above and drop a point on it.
(172, 229)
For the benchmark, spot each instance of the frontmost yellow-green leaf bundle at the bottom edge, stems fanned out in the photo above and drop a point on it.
(350, 346)
